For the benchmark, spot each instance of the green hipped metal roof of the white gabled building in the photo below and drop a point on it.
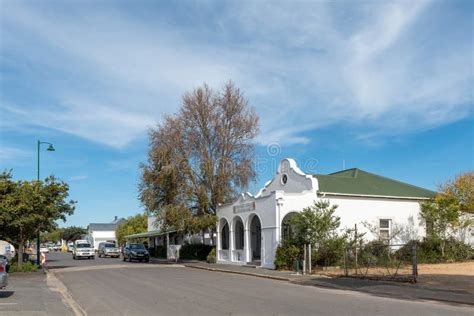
(359, 182)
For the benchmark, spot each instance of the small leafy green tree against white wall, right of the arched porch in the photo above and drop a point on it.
(315, 224)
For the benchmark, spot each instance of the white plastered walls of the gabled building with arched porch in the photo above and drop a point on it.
(277, 199)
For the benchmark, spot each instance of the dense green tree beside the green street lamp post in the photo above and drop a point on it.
(29, 207)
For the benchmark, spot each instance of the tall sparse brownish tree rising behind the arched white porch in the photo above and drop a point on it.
(199, 158)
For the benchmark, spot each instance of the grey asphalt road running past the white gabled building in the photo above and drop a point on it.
(110, 287)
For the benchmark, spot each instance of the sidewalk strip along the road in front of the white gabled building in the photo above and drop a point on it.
(378, 288)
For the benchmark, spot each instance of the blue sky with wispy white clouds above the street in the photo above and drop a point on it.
(383, 86)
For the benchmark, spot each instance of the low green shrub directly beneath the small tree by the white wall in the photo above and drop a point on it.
(329, 253)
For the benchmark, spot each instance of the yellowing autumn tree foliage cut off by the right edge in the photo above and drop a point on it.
(461, 189)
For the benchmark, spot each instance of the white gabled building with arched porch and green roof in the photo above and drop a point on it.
(251, 228)
